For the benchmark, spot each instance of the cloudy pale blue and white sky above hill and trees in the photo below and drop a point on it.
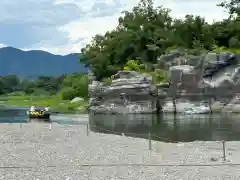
(65, 26)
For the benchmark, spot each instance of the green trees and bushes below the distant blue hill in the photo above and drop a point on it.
(67, 86)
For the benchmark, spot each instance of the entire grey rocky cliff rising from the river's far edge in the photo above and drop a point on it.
(215, 79)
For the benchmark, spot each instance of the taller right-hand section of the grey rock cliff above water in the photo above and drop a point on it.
(214, 80)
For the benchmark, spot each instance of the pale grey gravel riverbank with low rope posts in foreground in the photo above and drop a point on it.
(35, 151)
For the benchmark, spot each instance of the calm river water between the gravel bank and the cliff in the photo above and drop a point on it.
(168, 128)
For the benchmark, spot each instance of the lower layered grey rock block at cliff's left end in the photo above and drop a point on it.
(129, 92)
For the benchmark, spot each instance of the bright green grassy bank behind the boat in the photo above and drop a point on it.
(55, 102)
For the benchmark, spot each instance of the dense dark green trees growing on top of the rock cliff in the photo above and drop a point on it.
(146, 33)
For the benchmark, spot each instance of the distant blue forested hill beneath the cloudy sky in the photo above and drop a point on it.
(35, 63)
